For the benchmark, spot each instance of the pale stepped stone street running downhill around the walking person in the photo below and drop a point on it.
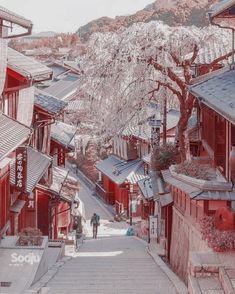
(112, 264)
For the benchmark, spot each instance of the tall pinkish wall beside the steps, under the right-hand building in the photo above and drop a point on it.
(185, 238)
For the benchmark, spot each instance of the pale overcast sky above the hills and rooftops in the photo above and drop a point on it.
(69, 15)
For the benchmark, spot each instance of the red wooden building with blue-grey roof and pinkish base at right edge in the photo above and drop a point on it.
(211, 192)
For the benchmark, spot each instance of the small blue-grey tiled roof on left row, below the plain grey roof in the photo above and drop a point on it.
(48, 102)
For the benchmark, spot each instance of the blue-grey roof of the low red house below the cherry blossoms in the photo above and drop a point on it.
(119, 170)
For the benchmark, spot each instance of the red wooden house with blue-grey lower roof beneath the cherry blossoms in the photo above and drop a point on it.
(130, 163)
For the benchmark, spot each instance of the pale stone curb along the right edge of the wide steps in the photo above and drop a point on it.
(178, 284)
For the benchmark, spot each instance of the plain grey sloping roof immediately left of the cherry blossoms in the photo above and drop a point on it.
(63, 89)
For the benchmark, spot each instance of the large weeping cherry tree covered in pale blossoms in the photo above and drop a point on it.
(124, 70)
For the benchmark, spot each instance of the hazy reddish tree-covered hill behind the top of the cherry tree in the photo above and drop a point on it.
(172, 12)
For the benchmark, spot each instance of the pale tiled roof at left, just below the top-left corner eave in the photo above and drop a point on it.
(28, 67)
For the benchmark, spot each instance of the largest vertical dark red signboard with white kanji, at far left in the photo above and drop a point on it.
(21, 169)
